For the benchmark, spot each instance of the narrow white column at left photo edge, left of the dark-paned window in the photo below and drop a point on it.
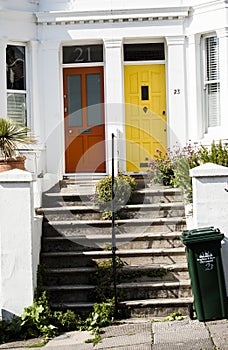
(3, 85)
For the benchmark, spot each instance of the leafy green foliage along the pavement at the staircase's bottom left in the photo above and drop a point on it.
(38, 320)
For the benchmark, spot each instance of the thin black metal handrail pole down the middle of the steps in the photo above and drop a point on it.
(113, 231)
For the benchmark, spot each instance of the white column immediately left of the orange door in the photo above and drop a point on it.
(51, 110)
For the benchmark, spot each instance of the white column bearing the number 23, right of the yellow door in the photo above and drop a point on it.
(176, 91)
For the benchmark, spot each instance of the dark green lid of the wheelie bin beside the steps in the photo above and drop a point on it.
(201, 235)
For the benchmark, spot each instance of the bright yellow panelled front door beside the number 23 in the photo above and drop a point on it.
(145, 114)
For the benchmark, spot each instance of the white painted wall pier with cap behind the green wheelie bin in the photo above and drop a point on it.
(210, 202)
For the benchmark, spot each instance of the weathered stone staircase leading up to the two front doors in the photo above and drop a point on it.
(152, 278)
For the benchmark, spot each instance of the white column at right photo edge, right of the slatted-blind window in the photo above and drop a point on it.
(223, 67)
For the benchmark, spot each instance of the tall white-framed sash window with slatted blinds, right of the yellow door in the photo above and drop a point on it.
(211, 81)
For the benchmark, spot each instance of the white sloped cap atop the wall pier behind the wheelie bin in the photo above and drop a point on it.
(209, 170)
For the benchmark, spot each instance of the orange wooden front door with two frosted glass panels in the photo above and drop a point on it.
(84, 119)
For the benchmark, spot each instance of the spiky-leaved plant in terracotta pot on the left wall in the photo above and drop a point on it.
(12, 137)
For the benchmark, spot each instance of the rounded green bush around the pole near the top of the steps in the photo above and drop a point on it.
(124, 185)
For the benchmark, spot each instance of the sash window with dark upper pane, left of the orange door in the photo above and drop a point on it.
(16, 83)
